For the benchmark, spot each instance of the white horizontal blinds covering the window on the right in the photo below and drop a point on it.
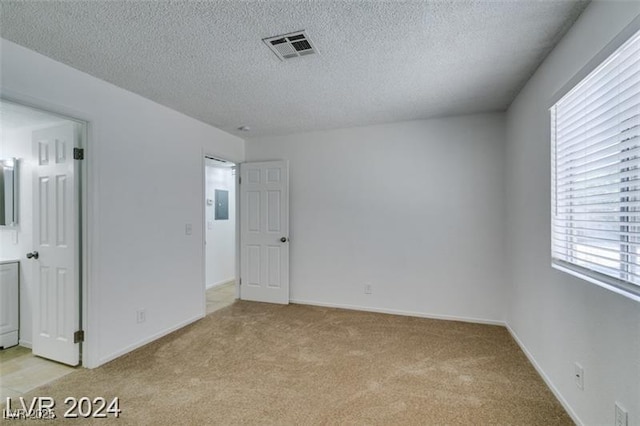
(595, 133)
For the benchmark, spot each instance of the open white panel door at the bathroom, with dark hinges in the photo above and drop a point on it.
(55, 219)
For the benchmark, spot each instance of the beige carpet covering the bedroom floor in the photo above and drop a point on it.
(253, 363)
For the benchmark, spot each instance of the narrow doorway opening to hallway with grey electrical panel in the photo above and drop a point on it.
(220, 233)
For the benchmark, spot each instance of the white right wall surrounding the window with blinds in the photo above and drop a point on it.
(560, 319)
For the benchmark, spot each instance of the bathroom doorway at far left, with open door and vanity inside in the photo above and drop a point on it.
(41, 247)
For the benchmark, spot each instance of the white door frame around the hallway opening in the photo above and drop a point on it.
(206, 154)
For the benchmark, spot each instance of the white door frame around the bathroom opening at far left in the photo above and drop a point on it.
(86, 214)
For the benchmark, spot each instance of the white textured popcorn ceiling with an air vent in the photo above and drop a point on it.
(379, 61)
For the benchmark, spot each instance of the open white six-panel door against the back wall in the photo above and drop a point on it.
(264, 231)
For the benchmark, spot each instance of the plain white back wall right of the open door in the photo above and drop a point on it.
(414, 208)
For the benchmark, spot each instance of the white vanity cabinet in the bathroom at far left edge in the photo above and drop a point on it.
(9, 303)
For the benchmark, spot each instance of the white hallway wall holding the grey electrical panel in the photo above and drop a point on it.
(221, 234)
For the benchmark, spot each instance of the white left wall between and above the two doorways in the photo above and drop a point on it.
(145, 183)
